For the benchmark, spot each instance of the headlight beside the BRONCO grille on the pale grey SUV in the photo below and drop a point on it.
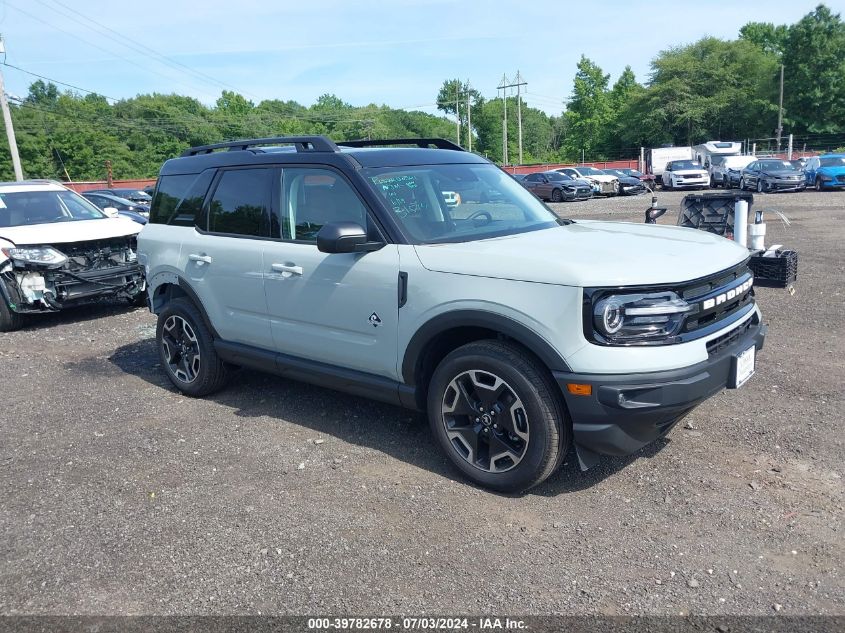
(636, 319)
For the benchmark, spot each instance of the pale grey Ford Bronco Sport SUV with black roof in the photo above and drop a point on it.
(518, 332)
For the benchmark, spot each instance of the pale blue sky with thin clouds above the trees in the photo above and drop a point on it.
(364, 51)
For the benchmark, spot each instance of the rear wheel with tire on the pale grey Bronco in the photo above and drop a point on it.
(202, 371)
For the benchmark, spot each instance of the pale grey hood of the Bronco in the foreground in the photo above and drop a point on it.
(590, 253)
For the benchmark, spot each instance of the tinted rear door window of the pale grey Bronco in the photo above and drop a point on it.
(241, 203)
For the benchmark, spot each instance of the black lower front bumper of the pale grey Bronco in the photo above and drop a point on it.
(625, 412)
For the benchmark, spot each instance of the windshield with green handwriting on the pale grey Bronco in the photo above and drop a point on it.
(491, 203)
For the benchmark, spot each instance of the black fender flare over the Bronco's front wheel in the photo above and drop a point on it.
(415, 351)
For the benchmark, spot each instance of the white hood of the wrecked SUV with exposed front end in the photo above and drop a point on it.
(67, 232)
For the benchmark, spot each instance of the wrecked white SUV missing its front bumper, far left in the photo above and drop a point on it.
(58, 250)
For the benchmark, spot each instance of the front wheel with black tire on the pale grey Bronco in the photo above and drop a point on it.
(535, 407)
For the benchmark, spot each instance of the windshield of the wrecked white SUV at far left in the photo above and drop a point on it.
(45, 207)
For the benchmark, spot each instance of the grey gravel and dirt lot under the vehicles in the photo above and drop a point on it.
(122, 496)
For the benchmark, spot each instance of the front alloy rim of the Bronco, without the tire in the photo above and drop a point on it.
(485, 421)
